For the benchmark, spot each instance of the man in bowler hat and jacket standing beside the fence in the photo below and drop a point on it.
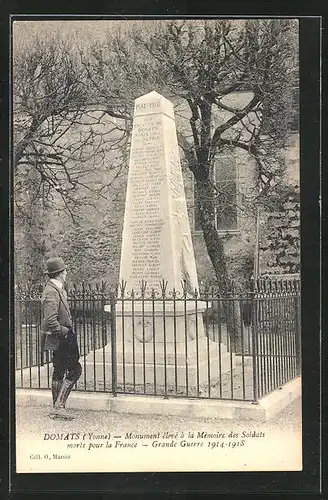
(59, 337)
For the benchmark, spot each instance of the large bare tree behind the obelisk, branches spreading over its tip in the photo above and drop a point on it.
(202, 63)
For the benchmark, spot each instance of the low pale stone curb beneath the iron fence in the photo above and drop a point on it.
(262, 411)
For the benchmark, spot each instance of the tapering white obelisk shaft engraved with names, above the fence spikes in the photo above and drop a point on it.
(156, 242)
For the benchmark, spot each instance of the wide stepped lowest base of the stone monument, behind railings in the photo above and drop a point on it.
(177, 366)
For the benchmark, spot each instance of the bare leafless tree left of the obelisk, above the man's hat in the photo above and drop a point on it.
(67, 152)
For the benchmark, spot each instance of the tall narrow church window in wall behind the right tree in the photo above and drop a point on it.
(225, 181)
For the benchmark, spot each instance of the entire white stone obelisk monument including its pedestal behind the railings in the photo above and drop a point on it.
(159, 338)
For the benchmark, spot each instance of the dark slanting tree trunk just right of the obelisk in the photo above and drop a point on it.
(215, 249)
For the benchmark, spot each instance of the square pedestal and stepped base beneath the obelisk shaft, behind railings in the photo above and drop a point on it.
(164, 351)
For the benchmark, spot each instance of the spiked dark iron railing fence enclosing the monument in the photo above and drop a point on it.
(236, 345)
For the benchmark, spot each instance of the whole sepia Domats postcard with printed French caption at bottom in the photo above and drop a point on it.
(156, 192)
